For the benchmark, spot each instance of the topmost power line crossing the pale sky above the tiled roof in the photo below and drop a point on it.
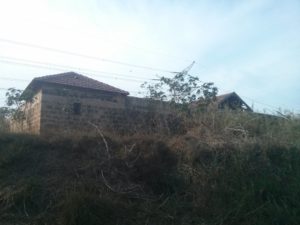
(83, 55)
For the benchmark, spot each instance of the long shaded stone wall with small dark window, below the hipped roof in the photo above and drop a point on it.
(69, 111)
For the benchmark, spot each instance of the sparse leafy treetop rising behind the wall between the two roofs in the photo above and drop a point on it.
(183, 89)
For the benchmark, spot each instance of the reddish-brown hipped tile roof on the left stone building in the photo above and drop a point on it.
(77, 80)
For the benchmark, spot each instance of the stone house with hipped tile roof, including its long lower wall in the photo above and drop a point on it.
(70, 103)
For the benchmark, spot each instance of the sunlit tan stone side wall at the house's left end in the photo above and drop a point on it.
(29, 121)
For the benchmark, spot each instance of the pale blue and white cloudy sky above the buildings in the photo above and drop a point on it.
(250, 47)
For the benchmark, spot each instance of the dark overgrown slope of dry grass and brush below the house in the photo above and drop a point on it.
(227, 169)
